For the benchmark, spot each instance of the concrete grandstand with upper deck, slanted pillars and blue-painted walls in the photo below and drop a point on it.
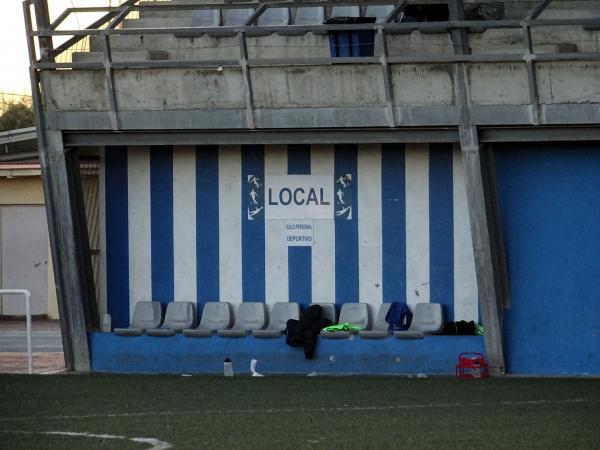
(469, 146)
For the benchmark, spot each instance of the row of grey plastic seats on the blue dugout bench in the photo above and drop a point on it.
(251, 318)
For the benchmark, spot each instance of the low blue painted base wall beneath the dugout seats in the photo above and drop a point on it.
(180, 354)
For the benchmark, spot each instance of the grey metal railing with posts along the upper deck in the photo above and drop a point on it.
(391, 114)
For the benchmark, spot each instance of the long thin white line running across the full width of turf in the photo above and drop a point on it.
(344, 408)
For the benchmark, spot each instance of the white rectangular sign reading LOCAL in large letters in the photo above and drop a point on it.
(299, 197)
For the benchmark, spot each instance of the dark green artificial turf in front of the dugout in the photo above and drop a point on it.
(298, 412)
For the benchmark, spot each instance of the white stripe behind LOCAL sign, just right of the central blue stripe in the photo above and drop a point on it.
(323, 250)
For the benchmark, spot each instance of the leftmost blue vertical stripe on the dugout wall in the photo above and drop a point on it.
(117, 239)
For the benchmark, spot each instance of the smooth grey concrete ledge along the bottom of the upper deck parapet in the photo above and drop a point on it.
(314, 118)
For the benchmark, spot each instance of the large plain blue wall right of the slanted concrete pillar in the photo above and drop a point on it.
(550, 201)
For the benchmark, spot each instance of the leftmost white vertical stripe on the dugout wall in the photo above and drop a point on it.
(138, 197)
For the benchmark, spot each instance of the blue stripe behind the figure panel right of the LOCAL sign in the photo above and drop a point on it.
(346, 231)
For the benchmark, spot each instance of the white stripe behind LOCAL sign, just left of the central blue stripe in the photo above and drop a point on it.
(276, 250)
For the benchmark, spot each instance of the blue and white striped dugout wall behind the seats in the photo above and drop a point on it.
(175, 228)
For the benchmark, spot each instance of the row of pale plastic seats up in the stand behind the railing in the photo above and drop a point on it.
(273, 17)
